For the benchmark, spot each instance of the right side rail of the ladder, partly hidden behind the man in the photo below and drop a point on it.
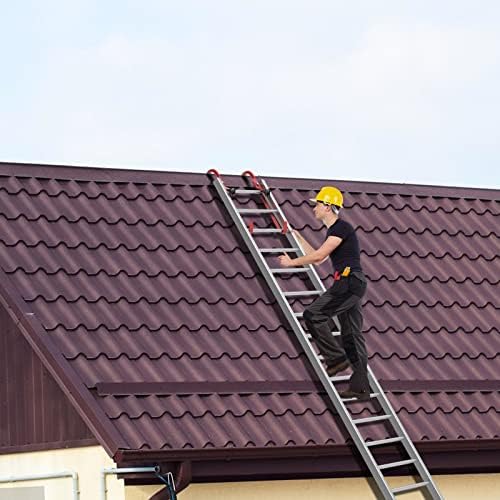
(374, 384)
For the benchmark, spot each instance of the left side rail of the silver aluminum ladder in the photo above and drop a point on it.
(304, 341)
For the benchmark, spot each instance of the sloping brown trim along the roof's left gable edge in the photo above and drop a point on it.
(78, 395)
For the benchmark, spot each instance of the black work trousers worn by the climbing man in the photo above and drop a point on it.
(343, 300)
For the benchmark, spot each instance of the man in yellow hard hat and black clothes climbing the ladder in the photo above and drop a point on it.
(342, 299)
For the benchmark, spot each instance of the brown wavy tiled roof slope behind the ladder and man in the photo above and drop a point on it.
(152, 314)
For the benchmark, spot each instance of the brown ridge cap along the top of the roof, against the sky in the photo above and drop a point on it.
(110, 174)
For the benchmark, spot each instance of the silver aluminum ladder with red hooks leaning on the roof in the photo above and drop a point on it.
(260, 188)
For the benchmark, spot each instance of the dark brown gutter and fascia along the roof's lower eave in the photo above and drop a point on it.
(321, 462)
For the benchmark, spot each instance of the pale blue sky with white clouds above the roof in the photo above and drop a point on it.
(398, 91)
